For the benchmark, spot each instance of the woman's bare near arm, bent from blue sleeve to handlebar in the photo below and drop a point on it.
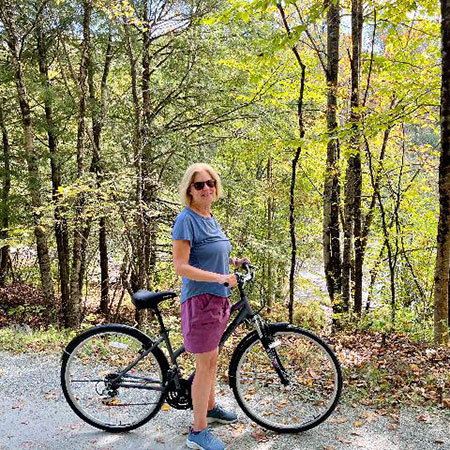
(181, 252)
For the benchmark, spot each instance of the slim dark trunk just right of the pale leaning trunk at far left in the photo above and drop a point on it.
(61, 231)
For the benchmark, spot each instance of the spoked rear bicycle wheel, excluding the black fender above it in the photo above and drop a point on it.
(93, 389)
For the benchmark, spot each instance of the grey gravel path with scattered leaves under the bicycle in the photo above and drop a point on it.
(34, 415)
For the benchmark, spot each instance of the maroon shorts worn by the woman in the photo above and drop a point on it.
(203, 321)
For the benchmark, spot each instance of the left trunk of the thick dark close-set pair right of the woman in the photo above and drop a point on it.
(331, 238)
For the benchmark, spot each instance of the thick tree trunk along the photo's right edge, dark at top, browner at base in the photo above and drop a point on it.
(441, 276)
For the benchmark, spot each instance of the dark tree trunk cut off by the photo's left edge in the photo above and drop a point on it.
(6, 176)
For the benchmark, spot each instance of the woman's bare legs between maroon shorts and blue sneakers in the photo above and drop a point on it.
(203, 386)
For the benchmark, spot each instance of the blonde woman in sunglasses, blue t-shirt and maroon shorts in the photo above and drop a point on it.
(201, 256)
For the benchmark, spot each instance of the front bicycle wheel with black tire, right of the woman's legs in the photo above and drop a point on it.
(312, 370)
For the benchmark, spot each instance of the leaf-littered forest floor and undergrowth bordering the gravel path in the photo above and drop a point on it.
(381, 370)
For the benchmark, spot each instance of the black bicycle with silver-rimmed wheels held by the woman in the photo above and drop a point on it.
(284, 378)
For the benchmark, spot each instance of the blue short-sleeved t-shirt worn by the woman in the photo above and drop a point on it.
(210, 250)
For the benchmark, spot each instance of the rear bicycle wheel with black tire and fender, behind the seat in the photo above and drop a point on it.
(93, 357)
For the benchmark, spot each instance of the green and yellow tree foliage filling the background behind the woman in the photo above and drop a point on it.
(224, 89)
